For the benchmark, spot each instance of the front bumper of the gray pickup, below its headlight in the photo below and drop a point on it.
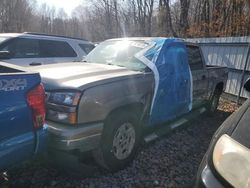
(84, 138)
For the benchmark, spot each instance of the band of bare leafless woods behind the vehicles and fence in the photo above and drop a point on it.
(103, 19)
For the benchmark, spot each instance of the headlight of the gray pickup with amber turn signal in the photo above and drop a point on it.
(62, 106)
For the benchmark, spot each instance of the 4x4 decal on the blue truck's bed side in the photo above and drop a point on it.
(12, 84)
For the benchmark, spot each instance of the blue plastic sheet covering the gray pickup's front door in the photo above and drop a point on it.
(173, 97)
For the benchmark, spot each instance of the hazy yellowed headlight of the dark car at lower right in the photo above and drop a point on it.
(232, 161)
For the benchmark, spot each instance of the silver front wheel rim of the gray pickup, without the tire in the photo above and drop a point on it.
(124, 141)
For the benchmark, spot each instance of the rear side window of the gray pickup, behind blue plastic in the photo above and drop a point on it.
(194, 58)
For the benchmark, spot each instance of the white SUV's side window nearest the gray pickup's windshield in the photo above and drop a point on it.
(51, 48)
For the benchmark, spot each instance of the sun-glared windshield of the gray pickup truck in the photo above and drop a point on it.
(120, 53)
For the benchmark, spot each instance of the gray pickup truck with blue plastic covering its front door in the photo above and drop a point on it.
(125, 89)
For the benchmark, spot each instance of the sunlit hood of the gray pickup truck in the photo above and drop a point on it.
(80, 75)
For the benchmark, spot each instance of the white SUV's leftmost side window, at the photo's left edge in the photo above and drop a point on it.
(22, 48)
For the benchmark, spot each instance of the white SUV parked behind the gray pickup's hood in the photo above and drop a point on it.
(25, 49)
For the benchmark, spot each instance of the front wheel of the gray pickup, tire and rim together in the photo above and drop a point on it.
(120, 141)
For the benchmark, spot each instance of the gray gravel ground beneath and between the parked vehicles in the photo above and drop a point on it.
(170, 161)
